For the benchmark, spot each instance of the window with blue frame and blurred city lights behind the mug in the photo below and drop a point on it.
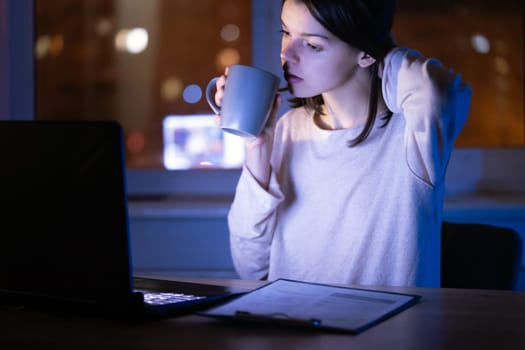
(146, 64)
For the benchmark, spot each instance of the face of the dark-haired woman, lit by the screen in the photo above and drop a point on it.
(315, 61)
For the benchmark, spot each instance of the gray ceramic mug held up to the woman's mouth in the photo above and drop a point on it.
(247, 102)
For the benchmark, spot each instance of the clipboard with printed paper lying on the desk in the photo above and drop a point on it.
(286, 302)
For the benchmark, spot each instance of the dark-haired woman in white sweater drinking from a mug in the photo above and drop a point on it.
(347, 187)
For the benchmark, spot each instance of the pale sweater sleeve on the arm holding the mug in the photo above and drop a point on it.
(251, 222)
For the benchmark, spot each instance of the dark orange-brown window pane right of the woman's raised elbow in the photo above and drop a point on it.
(483, 40)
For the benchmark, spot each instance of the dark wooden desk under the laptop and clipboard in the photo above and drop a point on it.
(444, 319)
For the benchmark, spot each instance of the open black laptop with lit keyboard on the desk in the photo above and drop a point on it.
(64, 229)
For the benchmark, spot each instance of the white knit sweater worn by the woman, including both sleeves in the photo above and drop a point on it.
(369, 214)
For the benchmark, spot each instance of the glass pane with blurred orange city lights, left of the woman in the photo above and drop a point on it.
(137, 62)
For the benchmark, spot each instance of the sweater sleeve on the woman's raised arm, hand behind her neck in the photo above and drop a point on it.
(435, 103)
